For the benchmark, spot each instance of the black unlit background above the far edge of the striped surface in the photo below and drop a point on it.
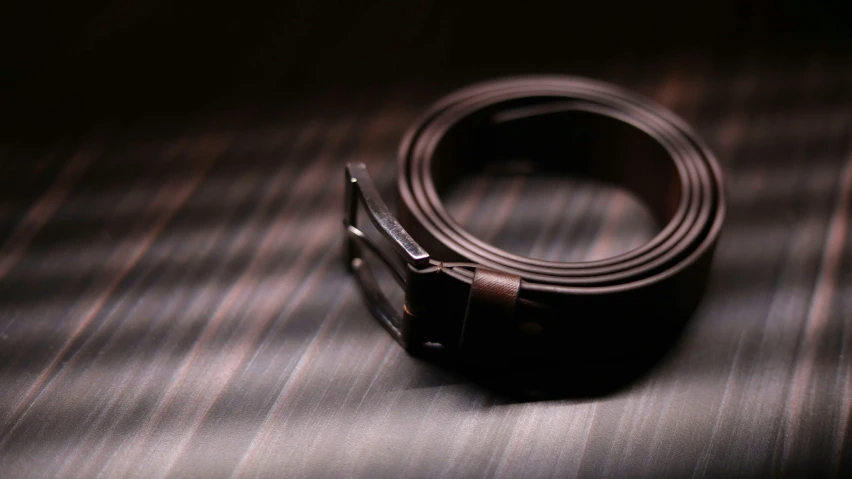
(94, 59)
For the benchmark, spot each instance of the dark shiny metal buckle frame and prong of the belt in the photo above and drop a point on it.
(361, 191)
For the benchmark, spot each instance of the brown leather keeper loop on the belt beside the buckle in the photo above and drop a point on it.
(491, 305)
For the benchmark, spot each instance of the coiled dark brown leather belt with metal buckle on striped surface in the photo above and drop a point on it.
(467, 299)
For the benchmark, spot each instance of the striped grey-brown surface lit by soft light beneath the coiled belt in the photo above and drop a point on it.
(173, 301)
